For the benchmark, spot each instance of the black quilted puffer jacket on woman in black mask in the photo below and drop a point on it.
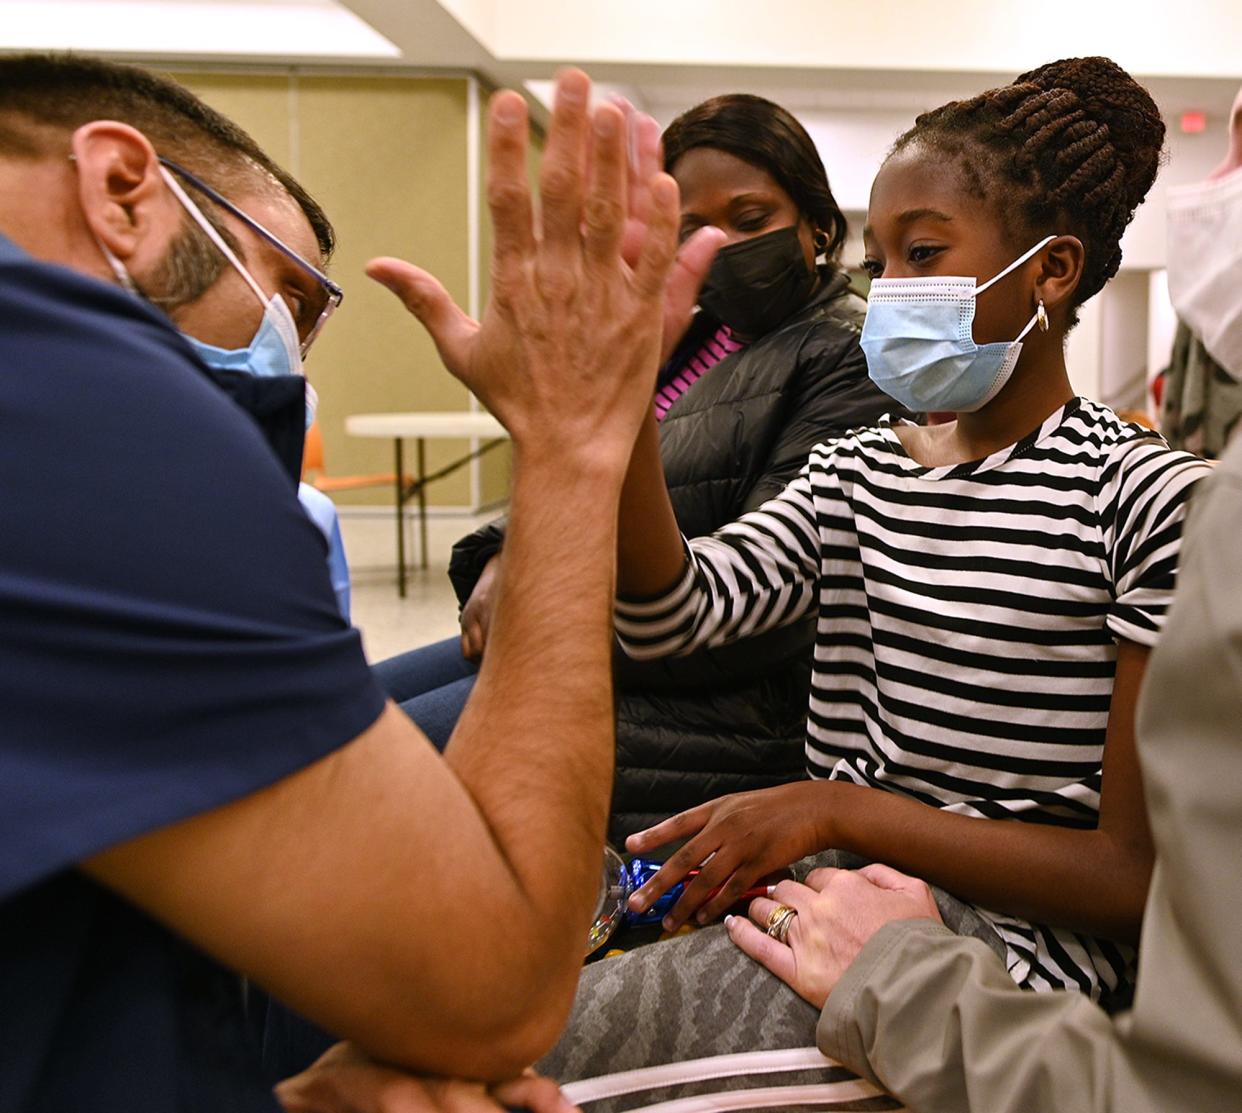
(722, 721)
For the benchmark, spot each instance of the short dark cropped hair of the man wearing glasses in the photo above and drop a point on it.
(65, 91)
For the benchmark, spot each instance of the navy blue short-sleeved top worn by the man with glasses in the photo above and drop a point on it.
(170, 642)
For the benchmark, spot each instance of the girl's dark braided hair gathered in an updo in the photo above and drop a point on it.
(1070, 148)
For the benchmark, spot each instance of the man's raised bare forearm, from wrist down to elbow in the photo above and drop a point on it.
(535, 746)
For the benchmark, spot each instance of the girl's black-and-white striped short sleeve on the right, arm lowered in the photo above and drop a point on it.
(1146, 499)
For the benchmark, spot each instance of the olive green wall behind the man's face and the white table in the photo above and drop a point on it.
(389, 160)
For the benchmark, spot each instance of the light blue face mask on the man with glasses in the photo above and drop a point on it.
(275, 348)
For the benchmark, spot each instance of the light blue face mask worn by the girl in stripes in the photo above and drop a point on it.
(921, 348)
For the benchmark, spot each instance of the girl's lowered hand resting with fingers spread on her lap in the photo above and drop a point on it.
(737, 840)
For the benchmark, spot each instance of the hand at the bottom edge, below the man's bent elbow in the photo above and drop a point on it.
(346, 1081)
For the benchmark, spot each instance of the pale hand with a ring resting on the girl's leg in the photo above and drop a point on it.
(838, 912)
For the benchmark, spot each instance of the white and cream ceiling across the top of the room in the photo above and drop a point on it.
(812, 55)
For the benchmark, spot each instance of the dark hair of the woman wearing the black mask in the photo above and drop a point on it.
(767, 136)
